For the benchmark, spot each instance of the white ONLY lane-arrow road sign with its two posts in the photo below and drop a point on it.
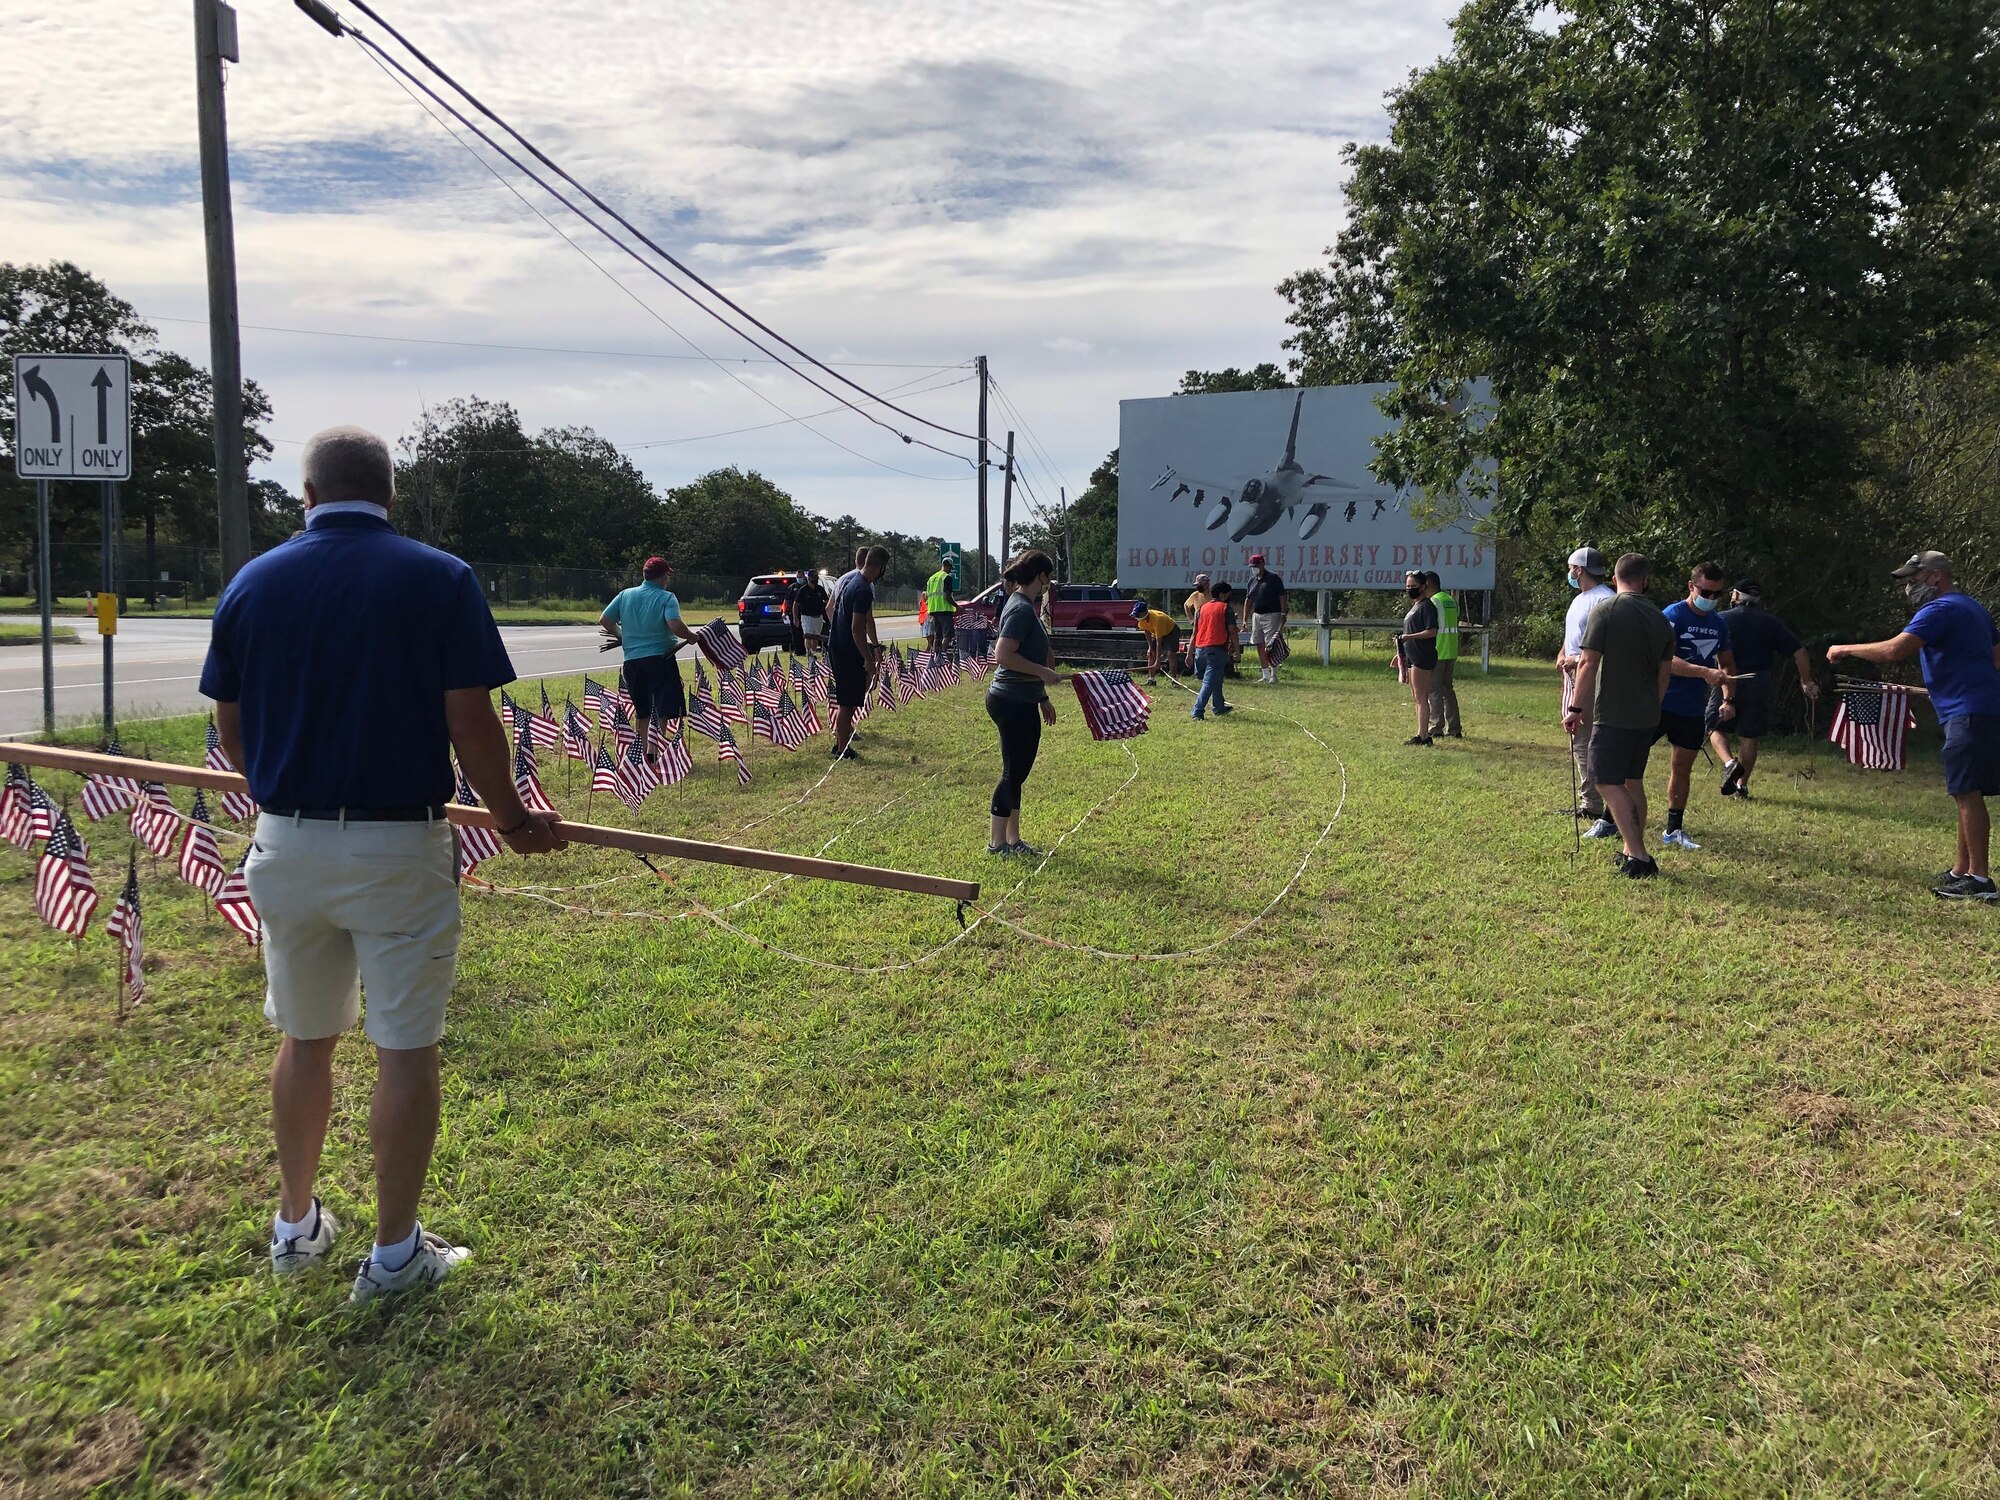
(73, 421)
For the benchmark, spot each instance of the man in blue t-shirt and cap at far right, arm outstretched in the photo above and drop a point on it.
(1955, 639)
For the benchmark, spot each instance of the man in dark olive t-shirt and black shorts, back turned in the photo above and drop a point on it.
(1623, 671)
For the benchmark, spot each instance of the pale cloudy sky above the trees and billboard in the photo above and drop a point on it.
(1097, 195)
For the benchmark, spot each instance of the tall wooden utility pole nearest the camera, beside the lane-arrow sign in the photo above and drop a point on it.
(215, 43)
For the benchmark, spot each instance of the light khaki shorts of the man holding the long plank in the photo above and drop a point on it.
(369, 905)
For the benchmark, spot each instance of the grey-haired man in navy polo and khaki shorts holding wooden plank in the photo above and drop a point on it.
(345, 667)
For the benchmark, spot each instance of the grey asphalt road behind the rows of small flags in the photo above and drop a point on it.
(159, 665)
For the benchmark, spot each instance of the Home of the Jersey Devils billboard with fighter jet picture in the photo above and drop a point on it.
(1207, 481)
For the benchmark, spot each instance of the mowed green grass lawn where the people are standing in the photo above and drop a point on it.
(1471, 1171)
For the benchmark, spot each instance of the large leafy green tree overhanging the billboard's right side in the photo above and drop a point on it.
(1687, 245)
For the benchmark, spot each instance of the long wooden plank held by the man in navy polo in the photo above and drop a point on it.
(89, 763)
